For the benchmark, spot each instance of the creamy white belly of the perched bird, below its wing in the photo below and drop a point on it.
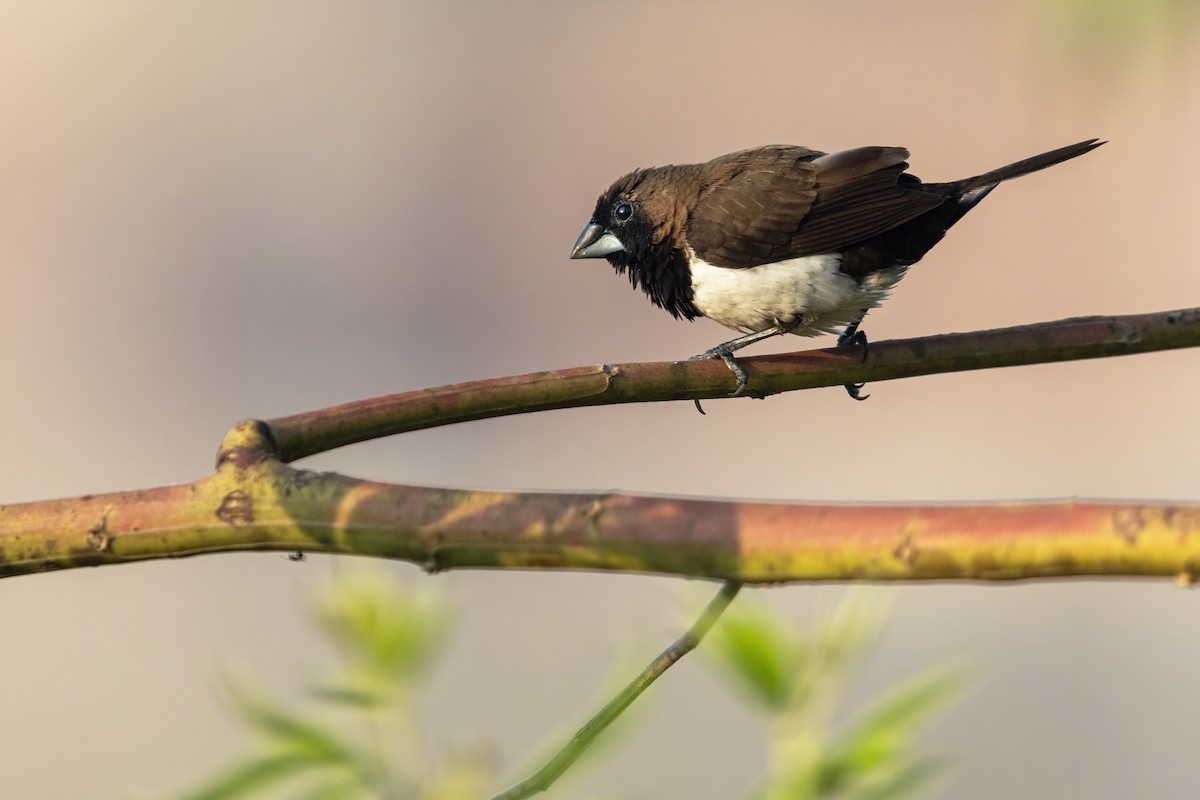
(809, 293)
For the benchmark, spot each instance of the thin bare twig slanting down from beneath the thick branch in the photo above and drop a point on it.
(544, 778)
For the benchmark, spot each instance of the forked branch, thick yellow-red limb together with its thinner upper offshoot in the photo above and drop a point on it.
(255, 502)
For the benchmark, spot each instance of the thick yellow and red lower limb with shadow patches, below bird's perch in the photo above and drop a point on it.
(256, 503)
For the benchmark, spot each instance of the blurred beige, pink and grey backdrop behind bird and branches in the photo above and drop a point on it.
(250, 208)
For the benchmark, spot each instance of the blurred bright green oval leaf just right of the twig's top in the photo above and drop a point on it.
(759, 652)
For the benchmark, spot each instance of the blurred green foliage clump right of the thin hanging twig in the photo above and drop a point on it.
(797, 681)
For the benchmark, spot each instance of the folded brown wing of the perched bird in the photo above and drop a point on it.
(779, 208)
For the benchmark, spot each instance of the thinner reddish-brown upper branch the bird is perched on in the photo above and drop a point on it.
(1089, 338)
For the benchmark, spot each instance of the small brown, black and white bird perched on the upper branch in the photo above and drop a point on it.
(783, 239)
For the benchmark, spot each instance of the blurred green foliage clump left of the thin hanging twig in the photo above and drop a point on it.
(357, 736)
